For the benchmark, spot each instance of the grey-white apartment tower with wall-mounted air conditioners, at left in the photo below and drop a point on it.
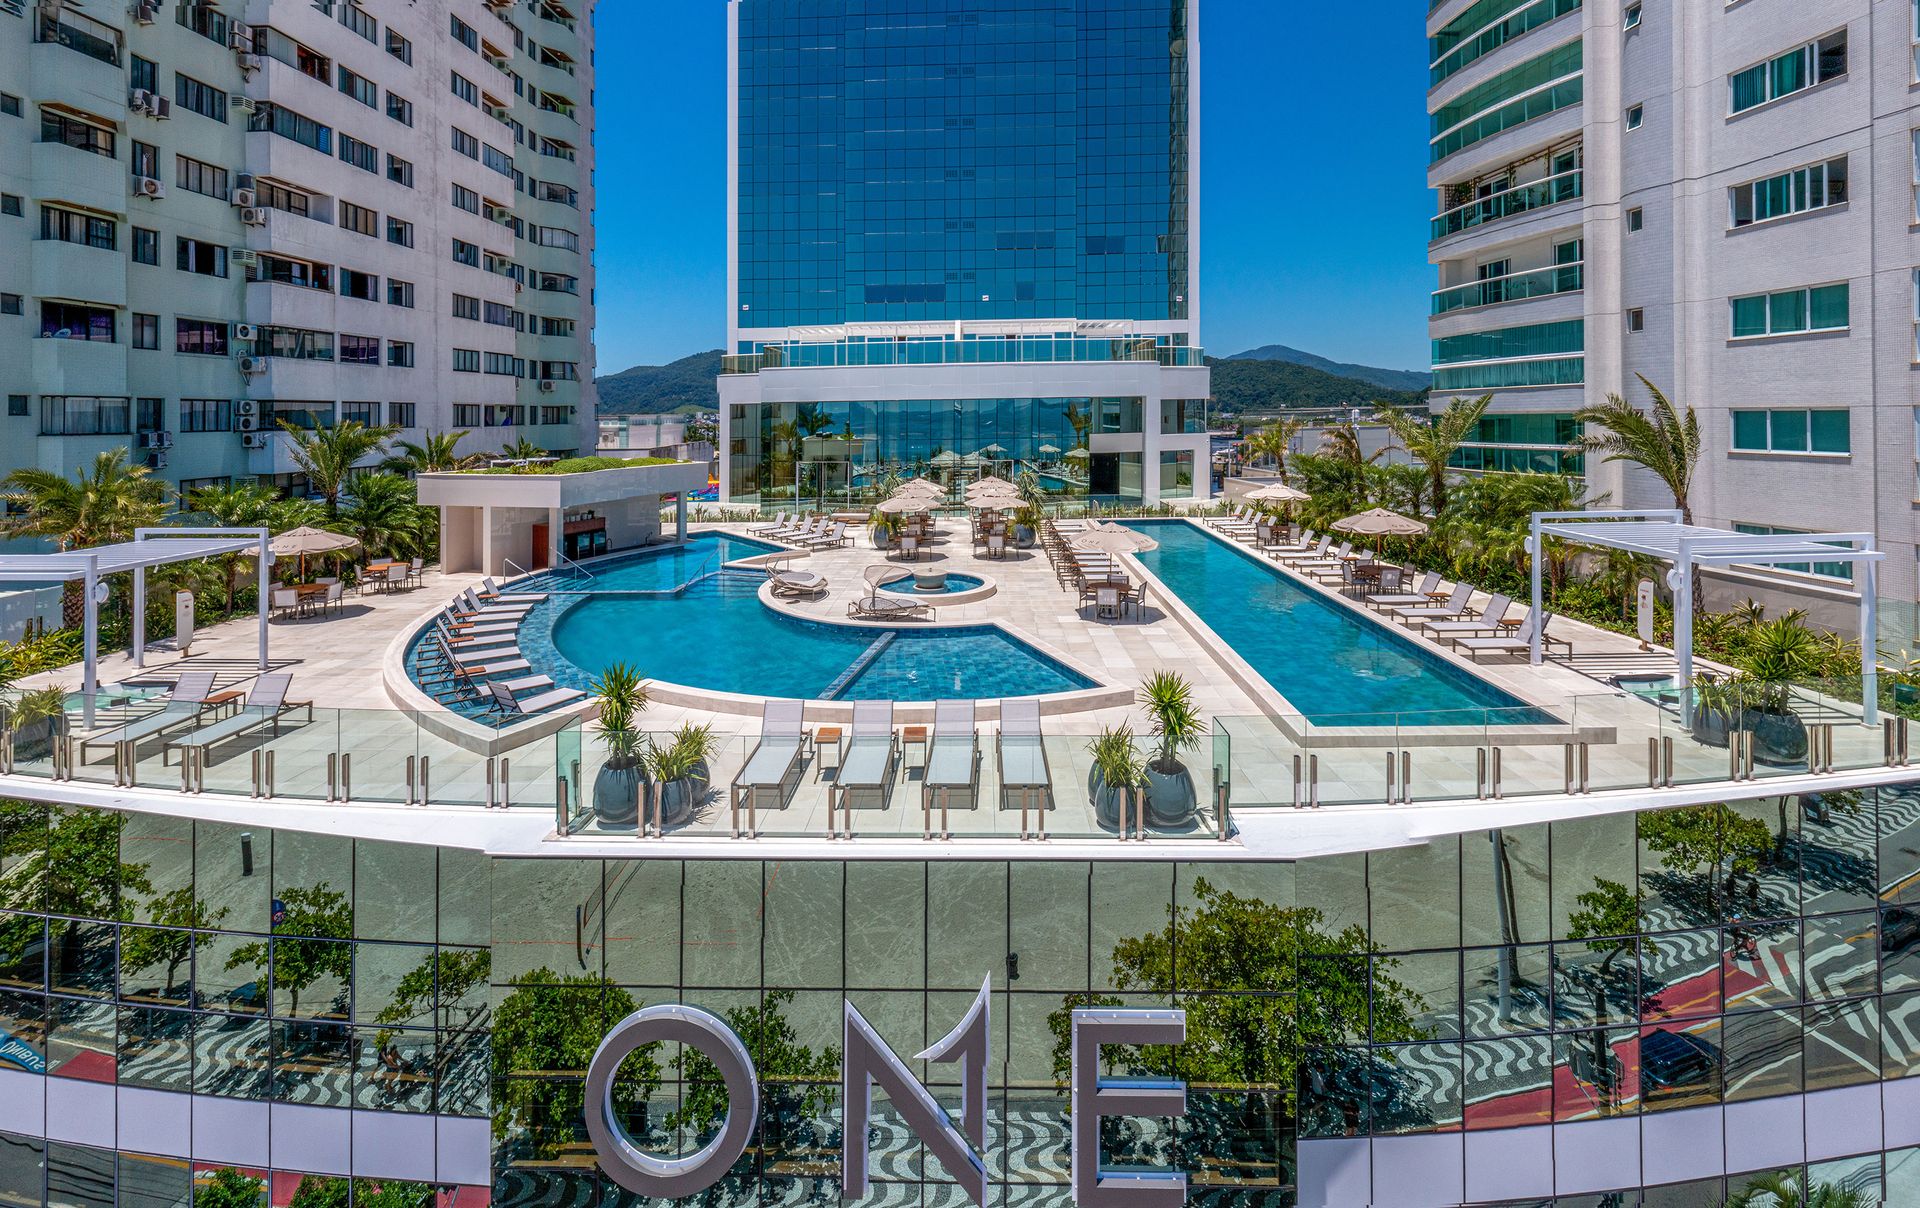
(222, 218)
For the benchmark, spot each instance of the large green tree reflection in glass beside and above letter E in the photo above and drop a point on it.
(1305, 990)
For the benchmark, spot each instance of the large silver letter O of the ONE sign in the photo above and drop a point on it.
(638, 1171)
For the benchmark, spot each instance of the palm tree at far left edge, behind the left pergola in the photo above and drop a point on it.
(101, 506)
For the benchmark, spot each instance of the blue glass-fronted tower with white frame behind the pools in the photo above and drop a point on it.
(963, 241)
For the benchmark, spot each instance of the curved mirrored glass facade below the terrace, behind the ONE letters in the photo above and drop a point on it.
(1554, 975)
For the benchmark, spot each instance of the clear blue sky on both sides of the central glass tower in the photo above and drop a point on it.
(1314, 214)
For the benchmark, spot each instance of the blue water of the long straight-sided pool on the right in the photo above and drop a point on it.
(1335, 667)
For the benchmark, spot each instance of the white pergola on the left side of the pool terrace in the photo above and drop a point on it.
(147, 550)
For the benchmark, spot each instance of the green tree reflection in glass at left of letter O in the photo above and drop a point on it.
(544, 1036)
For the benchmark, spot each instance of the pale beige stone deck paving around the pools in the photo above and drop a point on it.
(337, 664)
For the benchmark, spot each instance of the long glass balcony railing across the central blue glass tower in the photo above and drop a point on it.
(992, 350)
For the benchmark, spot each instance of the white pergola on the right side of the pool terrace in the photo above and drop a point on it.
(1666, 537)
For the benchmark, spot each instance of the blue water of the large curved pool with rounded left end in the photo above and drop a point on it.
(675, 616)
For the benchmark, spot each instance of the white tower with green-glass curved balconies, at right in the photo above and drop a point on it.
(1717, 197)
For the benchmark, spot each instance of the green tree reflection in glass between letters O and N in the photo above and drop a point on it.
(798, 1090)
